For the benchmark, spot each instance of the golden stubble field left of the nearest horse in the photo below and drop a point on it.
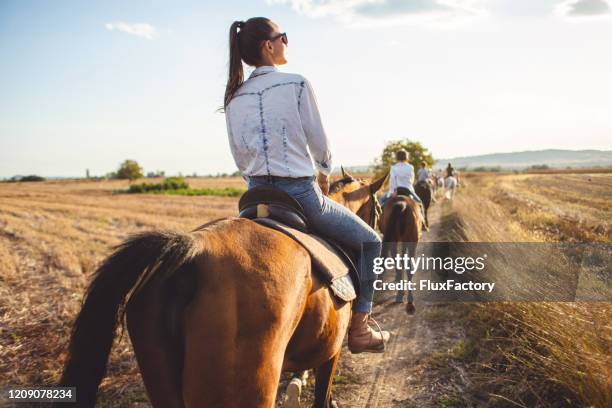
(52, 236)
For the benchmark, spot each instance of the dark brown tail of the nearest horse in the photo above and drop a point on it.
(123, 273)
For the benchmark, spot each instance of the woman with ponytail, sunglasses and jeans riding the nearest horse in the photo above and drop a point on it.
(274, 127)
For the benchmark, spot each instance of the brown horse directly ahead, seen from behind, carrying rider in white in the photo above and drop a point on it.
(401, 224)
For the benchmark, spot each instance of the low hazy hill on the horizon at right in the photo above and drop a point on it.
(554, 158)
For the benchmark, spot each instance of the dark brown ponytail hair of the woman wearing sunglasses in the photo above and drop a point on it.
(245, 45)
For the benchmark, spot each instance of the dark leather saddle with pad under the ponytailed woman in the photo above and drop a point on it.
(275, 209)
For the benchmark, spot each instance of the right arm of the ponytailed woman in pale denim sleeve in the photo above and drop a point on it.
(318, 143)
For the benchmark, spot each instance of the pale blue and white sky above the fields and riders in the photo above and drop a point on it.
(86, 85)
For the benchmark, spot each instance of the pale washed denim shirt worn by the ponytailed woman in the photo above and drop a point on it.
(274, 126)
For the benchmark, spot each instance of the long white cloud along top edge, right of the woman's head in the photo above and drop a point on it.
(438, 13)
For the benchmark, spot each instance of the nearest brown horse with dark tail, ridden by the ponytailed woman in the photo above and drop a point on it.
(215, 315)
